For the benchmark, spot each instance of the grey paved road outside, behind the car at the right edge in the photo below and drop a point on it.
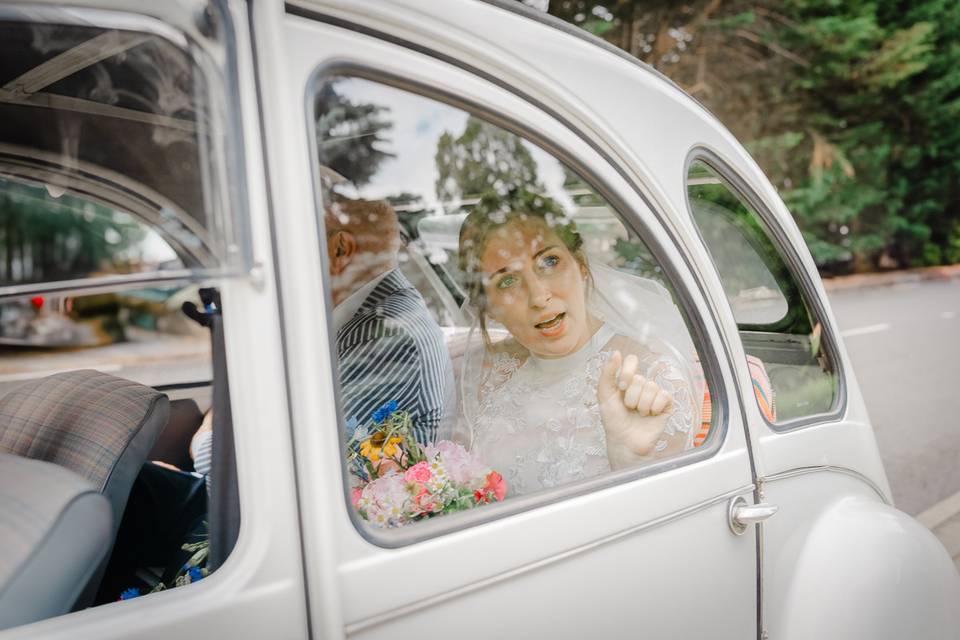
(904, 341)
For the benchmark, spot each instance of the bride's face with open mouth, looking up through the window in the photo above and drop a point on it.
(536, 289)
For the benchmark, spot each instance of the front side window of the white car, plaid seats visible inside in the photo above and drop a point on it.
(118, 197)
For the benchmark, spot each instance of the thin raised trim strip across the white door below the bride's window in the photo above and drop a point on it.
(354, 628)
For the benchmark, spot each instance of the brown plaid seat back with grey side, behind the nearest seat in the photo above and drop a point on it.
(99, 426)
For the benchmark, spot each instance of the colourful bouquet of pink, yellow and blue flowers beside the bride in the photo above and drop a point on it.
(398, 480)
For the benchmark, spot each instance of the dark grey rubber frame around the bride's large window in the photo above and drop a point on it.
(435, 527)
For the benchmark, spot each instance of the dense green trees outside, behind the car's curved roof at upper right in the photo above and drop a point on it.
(858, 127)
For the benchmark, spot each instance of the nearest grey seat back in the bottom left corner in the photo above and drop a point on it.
(56, 529)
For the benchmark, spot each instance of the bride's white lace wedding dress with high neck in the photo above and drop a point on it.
(537, 421)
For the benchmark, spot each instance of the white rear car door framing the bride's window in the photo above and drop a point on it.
(646, 550)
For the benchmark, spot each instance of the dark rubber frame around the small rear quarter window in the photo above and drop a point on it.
(793, 262)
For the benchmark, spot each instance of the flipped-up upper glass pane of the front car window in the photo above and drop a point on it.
(123, 129)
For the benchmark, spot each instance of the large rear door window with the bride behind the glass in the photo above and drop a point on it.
(500, 331)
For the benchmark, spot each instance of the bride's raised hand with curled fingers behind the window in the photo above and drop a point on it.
(634, 410)
